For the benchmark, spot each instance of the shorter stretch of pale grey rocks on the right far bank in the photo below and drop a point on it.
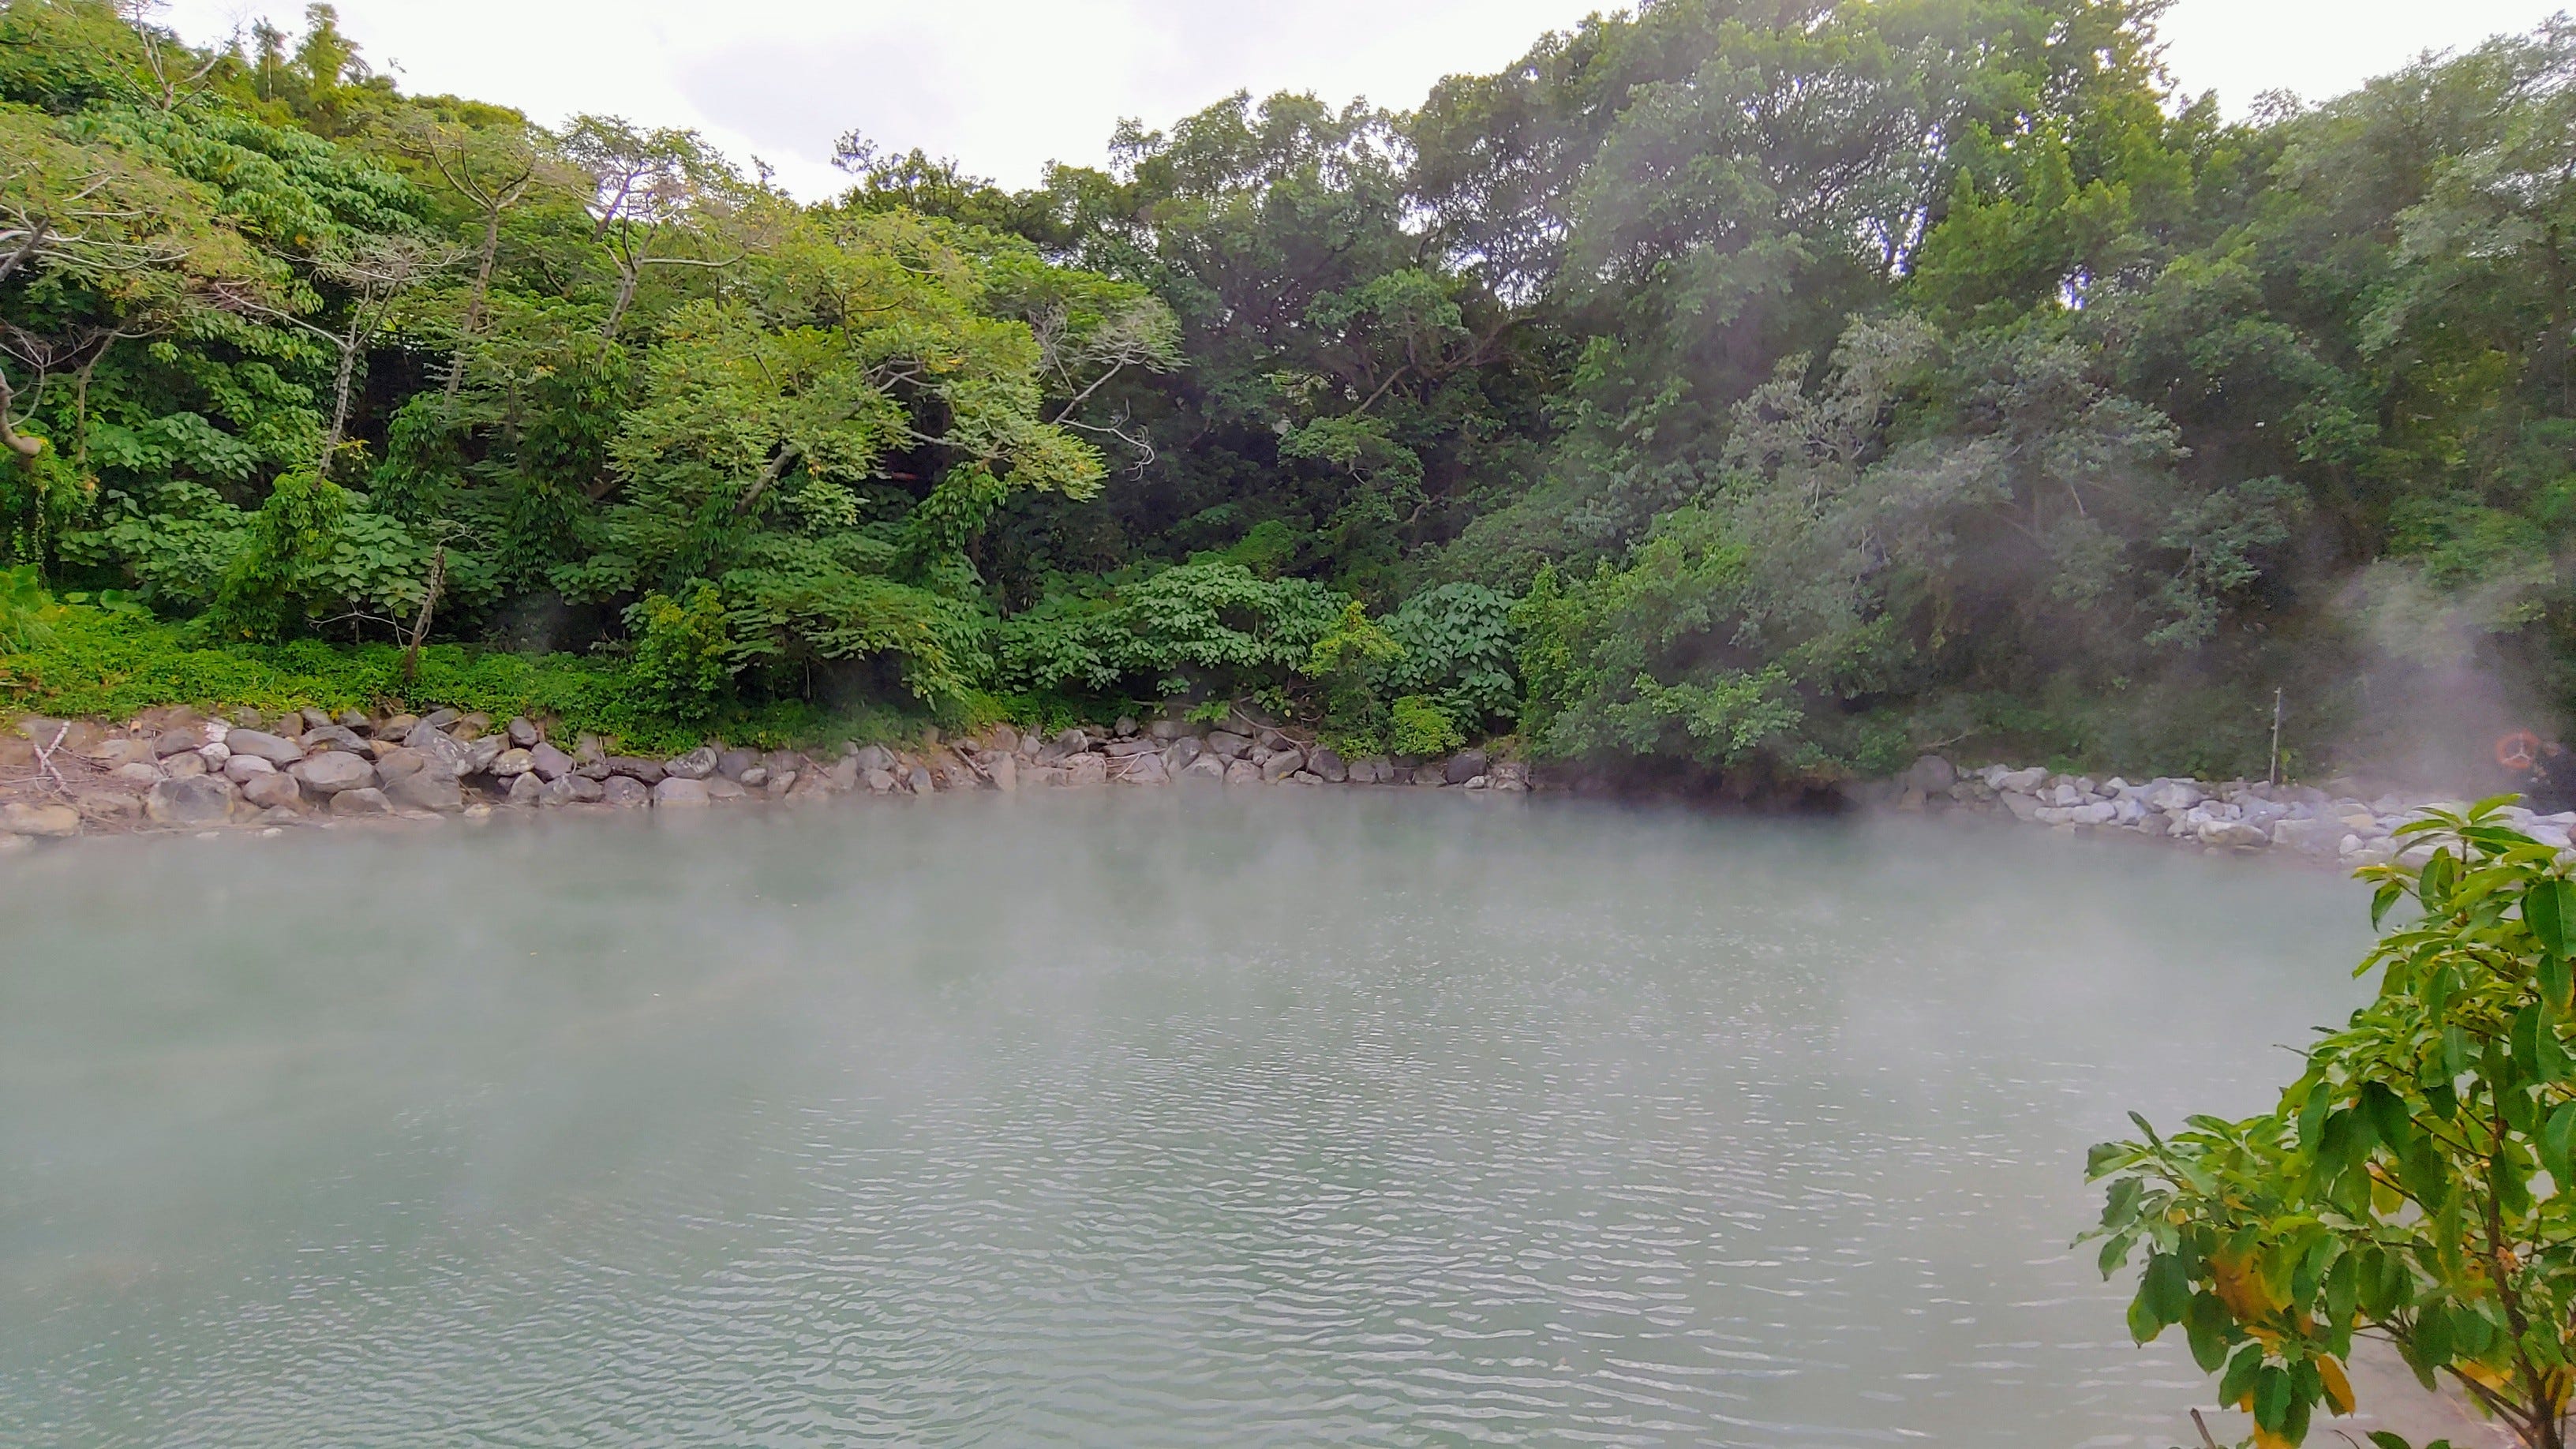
(2335, 826)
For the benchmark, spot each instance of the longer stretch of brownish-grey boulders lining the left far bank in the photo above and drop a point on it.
(176, 770)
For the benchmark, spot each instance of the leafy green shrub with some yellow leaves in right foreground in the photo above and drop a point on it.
(2410, 1185)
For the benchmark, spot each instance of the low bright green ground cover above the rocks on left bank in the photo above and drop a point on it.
(115, 664)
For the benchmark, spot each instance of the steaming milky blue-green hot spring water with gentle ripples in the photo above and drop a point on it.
(1119, 1120)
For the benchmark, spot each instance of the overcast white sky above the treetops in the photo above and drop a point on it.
(1009, 86)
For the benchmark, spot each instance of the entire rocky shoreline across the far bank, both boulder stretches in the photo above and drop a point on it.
(176, 770)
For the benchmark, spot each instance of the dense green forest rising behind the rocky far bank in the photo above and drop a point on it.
(1750, 388)
